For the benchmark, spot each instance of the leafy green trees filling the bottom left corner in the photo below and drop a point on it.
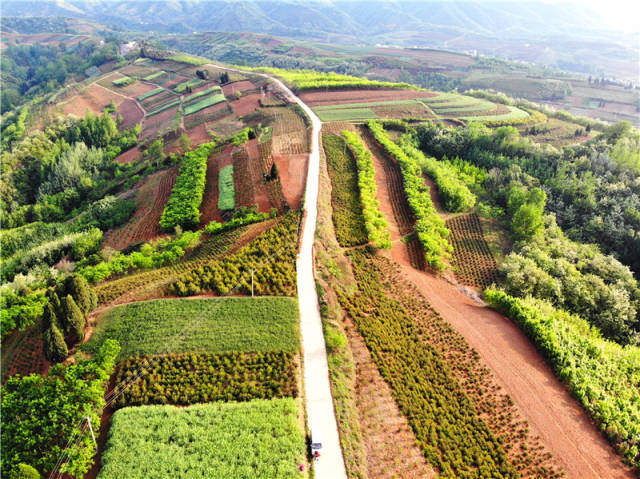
(40, 413)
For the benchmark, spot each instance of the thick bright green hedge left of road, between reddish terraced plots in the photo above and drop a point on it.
(183, 207)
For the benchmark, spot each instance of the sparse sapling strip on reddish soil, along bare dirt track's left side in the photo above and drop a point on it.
(526, 452)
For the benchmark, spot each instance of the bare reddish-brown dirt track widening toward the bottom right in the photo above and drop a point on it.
(542, 400)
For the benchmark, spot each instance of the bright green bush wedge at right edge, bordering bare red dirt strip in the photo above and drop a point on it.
(601, 374)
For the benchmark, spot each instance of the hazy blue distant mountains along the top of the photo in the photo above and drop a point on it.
(563, 34)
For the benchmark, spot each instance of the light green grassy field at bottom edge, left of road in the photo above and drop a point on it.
(255, 439)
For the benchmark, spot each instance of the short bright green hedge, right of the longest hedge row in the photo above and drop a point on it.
(453, 192)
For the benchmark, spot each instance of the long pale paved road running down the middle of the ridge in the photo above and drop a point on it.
(320, 412)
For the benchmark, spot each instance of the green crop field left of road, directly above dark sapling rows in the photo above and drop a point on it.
(200, 325)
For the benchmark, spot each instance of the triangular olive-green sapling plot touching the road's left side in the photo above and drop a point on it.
(269, 260)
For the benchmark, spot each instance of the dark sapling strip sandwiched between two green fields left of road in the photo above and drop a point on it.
(184, 379)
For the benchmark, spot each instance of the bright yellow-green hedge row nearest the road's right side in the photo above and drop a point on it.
(377, 226)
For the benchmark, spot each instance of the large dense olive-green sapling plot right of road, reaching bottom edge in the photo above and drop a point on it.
(448, 427)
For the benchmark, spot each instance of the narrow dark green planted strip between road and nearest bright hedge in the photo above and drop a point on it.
(345, 196)
